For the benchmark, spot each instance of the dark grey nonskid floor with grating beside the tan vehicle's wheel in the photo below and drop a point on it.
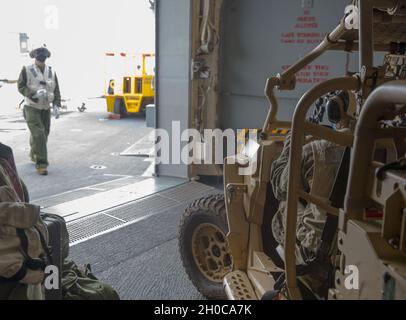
(134, 246)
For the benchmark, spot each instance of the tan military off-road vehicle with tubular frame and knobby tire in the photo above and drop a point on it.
(226, 242)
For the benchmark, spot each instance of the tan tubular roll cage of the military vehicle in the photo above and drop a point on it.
(377, 21)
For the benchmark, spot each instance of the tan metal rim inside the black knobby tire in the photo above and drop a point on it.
(211, 252)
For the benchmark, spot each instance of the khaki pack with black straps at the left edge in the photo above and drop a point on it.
(23, 236)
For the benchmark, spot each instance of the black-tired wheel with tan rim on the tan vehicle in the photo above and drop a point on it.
(203, 245)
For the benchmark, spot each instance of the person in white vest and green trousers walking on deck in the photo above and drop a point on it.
(38, 83)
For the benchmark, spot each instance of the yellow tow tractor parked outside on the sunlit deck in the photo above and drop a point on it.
(136, 93)
